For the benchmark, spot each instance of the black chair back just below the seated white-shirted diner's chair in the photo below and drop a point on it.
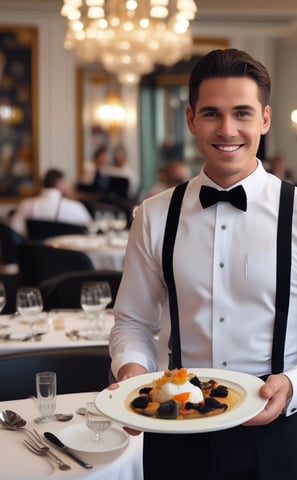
(37, 262)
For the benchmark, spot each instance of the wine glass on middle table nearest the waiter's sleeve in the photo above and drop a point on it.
(95, 296)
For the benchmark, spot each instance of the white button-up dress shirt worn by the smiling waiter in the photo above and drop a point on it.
(225, 274)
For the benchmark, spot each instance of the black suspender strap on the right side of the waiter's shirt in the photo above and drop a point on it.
(283, 274)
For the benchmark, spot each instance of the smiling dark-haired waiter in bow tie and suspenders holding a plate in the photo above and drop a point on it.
(224, 266)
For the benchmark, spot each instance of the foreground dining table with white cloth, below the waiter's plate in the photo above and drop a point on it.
(121, 460)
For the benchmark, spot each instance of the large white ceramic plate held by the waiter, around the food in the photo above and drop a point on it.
(115, 403)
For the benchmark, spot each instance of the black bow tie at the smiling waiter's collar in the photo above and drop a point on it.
(236, 196)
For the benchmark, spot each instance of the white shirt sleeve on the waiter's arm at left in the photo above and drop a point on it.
(138, 304)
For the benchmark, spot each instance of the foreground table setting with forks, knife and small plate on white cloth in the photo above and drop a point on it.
(117, 457)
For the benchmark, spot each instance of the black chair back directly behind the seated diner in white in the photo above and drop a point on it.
(42, 229)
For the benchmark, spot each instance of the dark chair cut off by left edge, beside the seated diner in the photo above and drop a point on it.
(9, 240)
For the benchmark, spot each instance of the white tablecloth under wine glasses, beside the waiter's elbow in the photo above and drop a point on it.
(56, 324)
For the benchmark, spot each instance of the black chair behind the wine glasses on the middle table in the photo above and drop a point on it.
(63, 291)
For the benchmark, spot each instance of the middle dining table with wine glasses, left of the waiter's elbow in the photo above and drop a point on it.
(53, 330)
